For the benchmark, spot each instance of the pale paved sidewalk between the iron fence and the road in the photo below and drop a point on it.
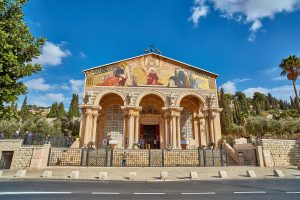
(153, 173)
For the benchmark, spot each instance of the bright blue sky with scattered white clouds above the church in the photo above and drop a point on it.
(241, 40)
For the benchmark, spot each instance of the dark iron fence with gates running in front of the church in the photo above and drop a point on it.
(145, 158)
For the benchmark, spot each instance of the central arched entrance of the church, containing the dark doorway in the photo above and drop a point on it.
(151, 121)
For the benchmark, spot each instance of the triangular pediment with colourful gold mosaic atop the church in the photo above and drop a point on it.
(149, 70)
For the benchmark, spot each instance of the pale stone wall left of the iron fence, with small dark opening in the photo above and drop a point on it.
(25, 156)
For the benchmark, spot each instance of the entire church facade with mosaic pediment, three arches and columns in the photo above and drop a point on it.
(151, 101)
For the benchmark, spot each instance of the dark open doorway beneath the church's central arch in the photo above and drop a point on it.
(150, 134)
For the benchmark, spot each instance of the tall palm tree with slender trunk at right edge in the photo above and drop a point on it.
(291, 68)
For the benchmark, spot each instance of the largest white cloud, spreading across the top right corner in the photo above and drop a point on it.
(251, 11)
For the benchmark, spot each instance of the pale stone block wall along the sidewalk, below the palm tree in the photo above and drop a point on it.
(280, 152)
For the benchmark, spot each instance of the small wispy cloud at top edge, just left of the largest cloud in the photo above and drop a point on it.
(199, 10)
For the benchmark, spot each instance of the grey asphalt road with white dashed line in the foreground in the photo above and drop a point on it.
(282, 189)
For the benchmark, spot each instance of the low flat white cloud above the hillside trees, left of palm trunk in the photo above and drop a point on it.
(282, 92)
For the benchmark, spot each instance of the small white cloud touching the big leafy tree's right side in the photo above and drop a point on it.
(52, 54)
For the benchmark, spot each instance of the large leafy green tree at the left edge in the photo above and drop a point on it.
(18, 48)
